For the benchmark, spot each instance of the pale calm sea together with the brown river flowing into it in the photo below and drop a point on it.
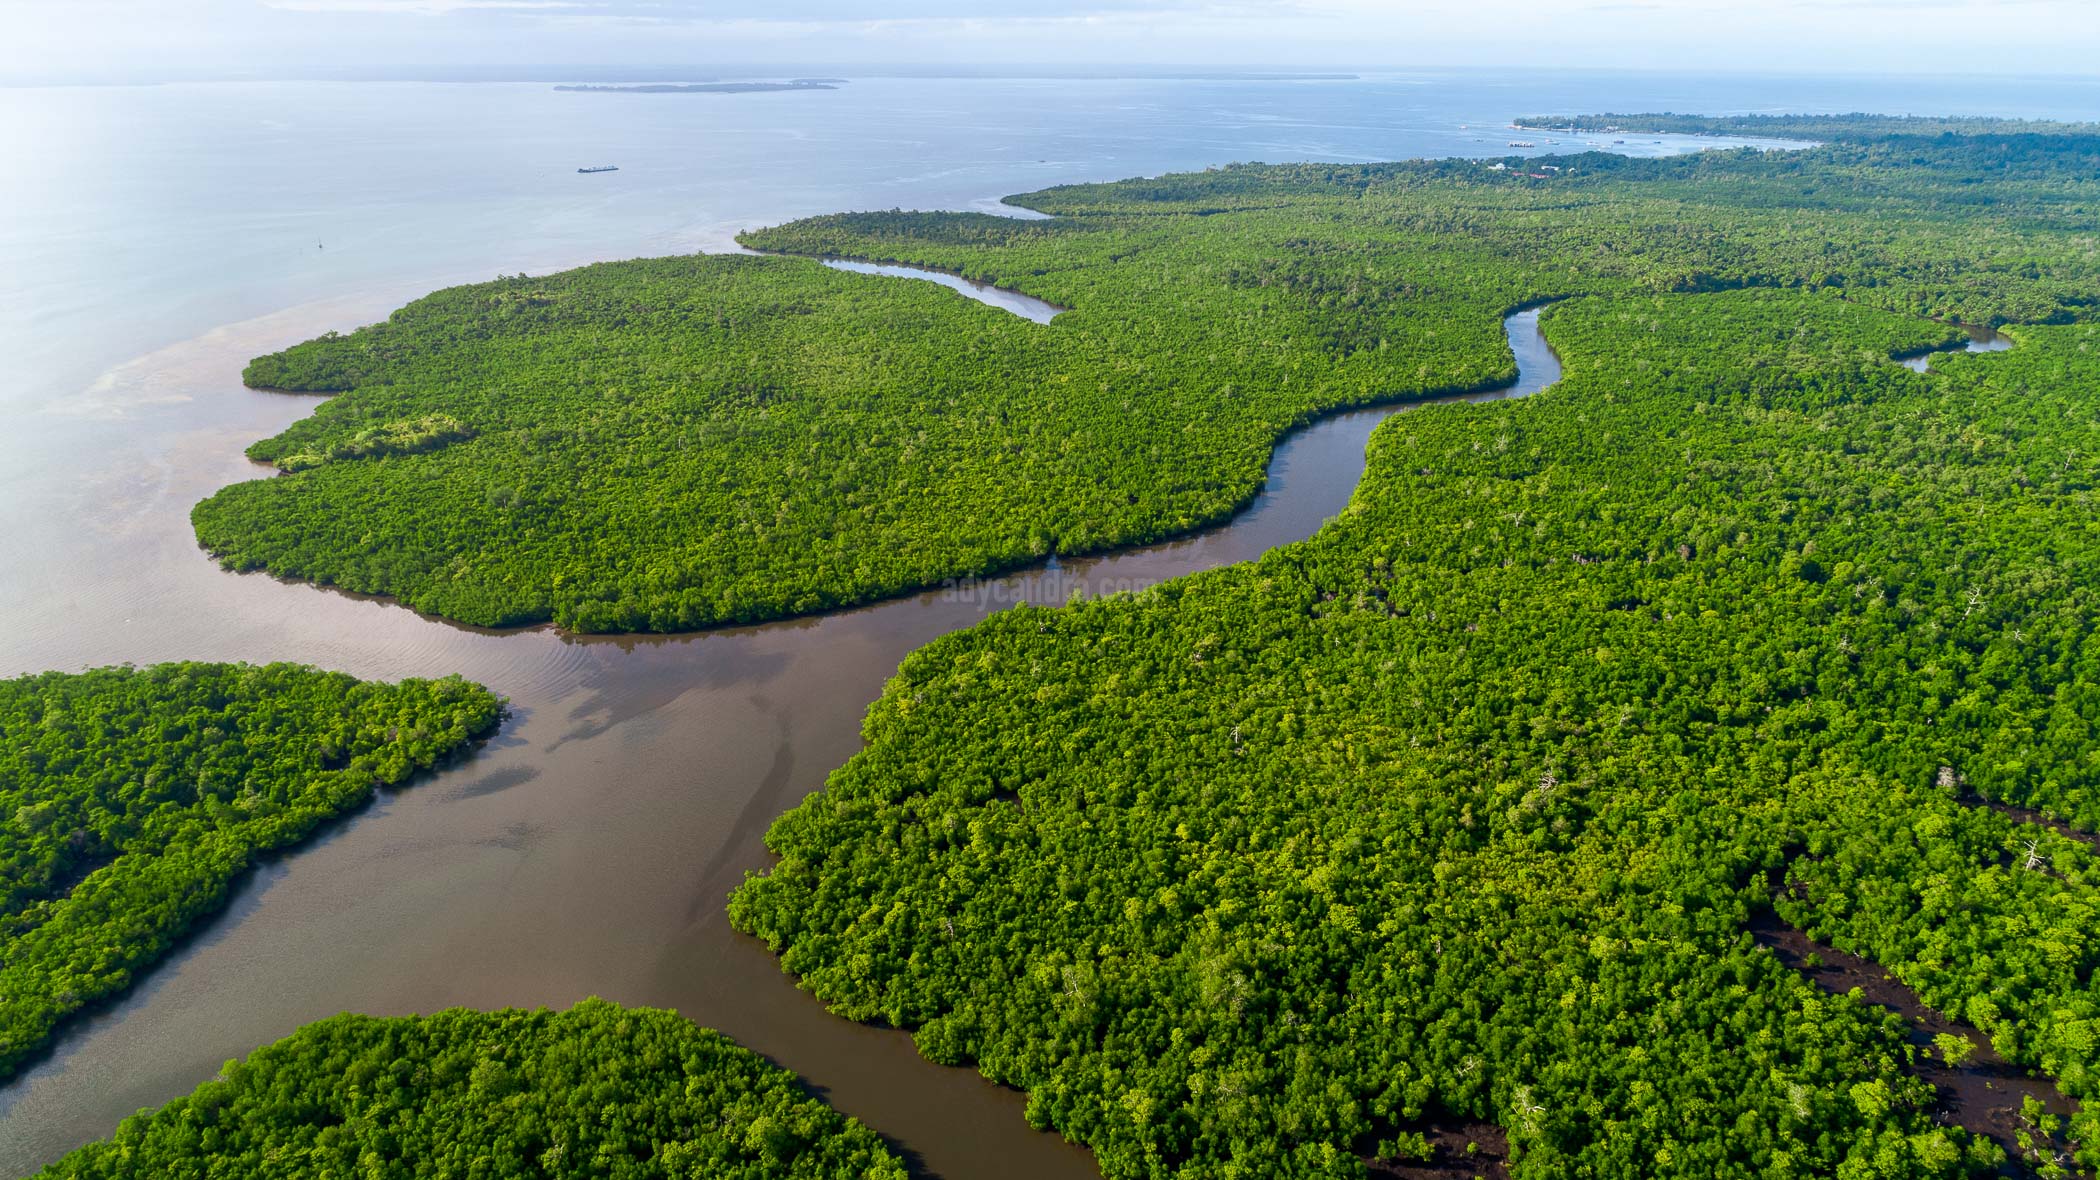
(156, 238)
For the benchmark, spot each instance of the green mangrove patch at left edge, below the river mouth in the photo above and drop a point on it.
(131, 799)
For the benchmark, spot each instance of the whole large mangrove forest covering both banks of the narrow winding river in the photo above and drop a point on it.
(1479, 805)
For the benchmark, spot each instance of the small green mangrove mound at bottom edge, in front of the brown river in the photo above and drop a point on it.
(597, 1091)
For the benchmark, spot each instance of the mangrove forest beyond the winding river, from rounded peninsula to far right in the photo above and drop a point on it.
(673, 444)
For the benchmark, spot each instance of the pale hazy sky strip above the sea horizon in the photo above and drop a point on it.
(114, 39)
